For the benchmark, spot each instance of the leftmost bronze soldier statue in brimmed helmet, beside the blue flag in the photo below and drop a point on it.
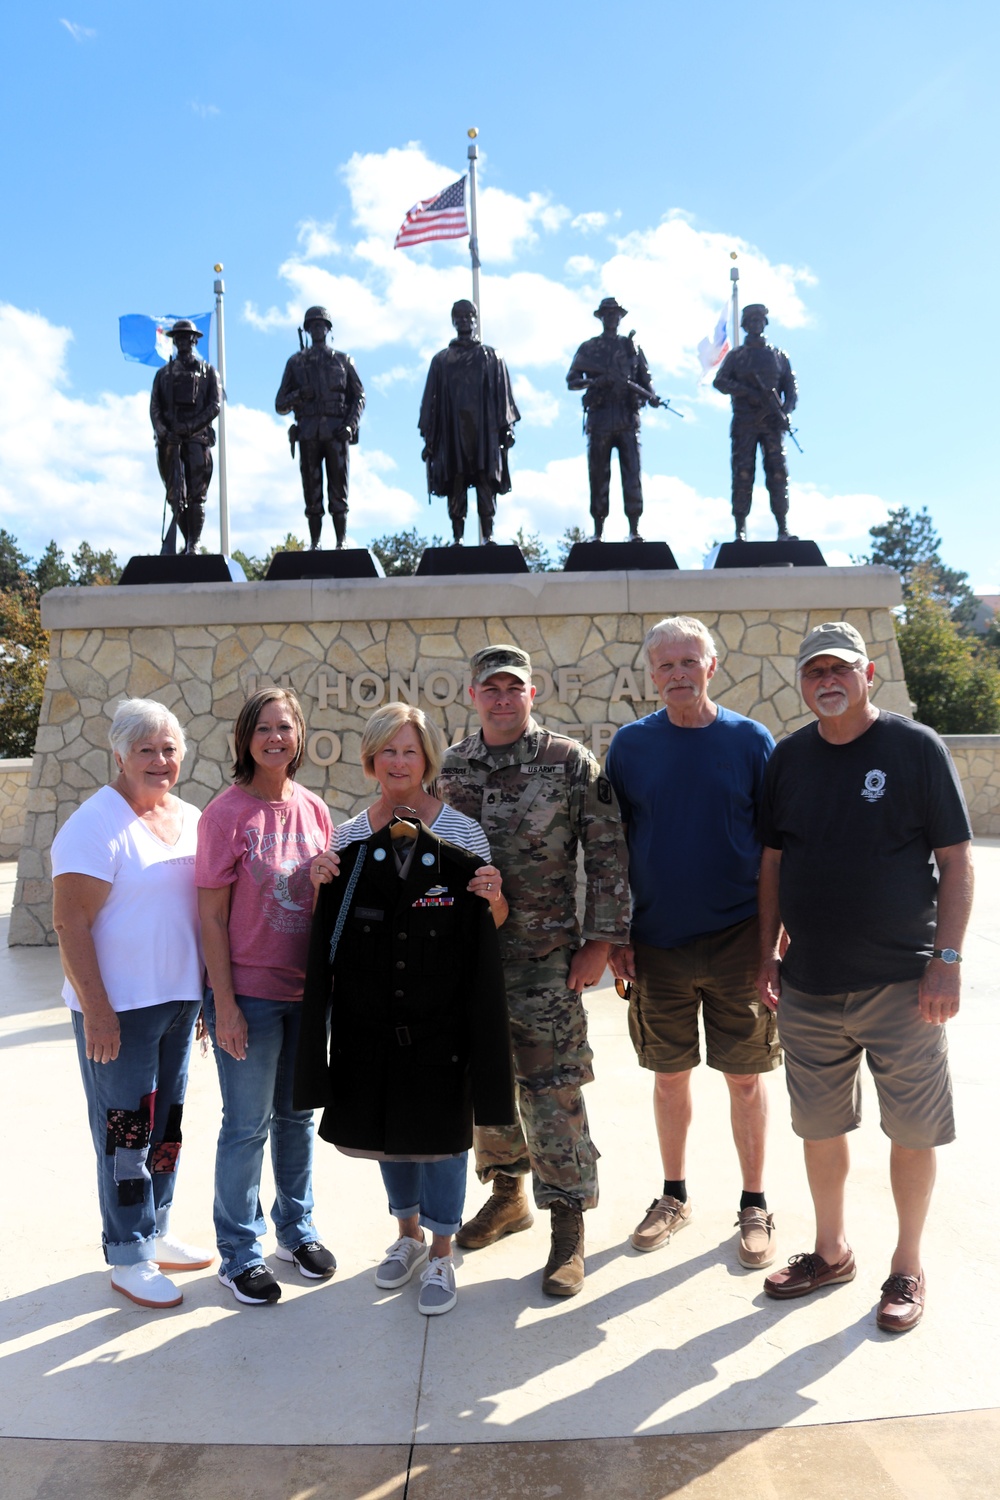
(184, 406)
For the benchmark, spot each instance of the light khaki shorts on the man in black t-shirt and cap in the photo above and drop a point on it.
(824, 1039)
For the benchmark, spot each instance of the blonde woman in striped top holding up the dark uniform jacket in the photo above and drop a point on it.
(403, 751)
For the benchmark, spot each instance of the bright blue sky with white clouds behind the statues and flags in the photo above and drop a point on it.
(846, 154)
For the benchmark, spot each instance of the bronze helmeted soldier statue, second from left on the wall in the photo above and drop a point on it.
(322, 386)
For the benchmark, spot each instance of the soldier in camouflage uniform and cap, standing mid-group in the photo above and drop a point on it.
(539, 797)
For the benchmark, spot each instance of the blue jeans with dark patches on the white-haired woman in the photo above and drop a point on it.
(134, 1106)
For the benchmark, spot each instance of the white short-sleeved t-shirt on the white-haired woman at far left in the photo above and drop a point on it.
(148, 934)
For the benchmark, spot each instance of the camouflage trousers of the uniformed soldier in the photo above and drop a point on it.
(552, 1063)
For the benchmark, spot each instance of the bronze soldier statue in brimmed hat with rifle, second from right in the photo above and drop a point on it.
(615, 380)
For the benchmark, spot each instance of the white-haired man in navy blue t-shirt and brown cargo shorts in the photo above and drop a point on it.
(689, 781)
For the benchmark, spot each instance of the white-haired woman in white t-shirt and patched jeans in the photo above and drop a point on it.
(127, 917)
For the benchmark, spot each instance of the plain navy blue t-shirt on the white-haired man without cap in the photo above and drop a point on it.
(690, 802)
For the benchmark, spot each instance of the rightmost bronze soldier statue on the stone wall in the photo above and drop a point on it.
(759, 379)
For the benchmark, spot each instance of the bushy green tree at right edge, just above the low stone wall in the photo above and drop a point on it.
(954, 686)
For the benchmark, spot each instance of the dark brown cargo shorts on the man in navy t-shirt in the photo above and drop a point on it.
(719, 974)
